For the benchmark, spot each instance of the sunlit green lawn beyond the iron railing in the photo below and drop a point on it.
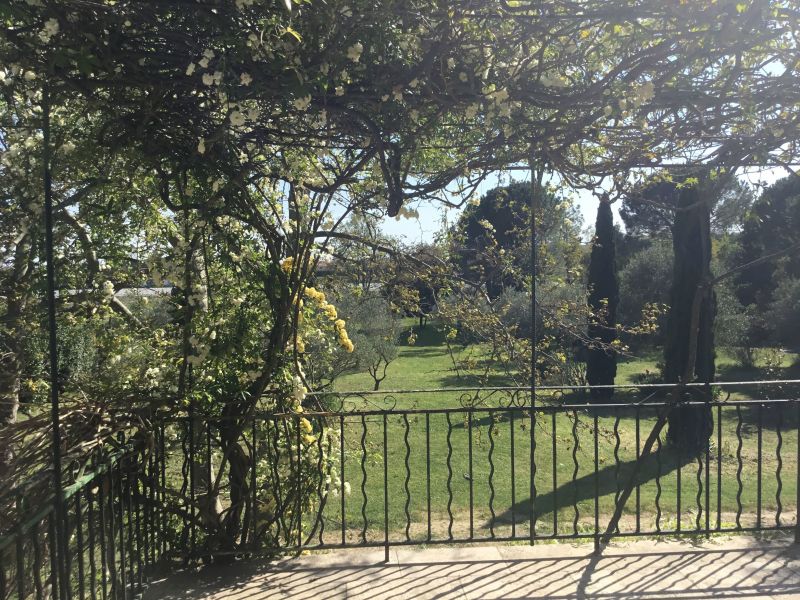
(498, 480)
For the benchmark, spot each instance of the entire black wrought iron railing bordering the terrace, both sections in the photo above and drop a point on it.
(383, 470)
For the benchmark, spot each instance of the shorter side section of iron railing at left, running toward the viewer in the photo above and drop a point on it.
(114, 518)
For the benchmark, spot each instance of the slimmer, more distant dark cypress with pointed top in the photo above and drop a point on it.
(601, 360)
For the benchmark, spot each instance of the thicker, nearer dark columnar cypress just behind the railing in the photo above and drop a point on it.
(691, 426)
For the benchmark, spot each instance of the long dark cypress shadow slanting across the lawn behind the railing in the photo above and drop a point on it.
(606, 481)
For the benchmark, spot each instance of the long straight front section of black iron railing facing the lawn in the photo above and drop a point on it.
(391, 471)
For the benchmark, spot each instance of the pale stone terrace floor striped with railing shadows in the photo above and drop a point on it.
(718, 568)
